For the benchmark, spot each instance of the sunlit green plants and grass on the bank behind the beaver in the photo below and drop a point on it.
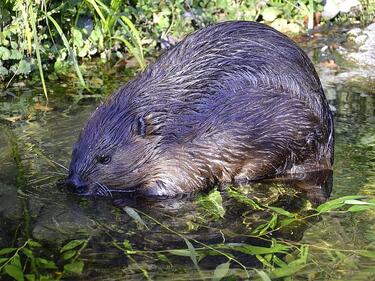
(53, 37)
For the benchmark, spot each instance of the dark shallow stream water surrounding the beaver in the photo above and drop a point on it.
(35, 150)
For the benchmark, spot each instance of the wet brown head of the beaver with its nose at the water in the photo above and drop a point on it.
(113, 153)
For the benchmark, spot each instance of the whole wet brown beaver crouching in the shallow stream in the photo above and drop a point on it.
(231, 103)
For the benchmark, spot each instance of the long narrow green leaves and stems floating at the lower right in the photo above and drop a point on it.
(281, 259)
